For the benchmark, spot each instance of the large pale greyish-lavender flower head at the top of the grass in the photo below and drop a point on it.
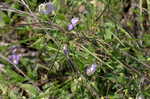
(46, 8)
